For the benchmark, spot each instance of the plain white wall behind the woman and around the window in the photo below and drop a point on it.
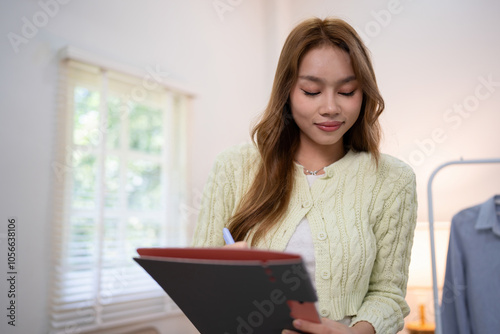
(428, 56)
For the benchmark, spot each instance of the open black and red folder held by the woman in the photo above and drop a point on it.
(234, 291)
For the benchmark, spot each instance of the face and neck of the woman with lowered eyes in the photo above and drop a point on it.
(326, 99)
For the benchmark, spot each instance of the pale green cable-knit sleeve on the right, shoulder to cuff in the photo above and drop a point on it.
(384, 305)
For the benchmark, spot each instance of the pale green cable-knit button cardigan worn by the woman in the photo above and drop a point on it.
(362, 220)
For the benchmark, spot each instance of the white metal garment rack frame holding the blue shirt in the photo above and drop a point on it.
(437, 311)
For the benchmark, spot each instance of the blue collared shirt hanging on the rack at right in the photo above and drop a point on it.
(471, 292)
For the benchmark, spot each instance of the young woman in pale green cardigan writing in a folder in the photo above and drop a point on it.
(314, 182)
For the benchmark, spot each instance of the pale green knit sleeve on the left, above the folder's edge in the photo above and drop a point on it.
(217, 205)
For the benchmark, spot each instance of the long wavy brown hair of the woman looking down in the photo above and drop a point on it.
(277, 135)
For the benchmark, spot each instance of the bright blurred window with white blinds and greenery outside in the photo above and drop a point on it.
(119, 182)
